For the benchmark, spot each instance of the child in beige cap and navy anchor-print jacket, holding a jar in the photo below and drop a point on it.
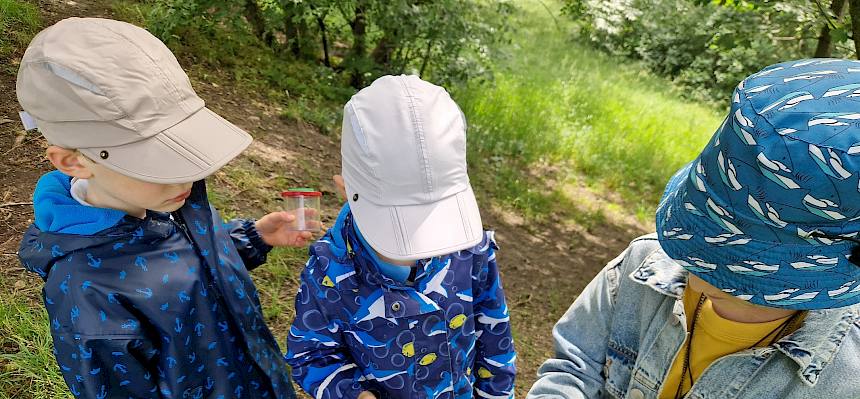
(147, 289)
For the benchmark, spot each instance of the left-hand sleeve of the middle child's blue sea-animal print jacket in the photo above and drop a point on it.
(320, 363)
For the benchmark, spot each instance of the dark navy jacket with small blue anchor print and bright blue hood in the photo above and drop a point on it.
(161, 307)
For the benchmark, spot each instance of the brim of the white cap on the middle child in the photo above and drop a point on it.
(420, 231)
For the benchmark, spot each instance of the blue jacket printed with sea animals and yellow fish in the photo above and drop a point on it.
(446, 336)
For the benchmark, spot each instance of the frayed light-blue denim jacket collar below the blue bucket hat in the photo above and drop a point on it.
(812, 347)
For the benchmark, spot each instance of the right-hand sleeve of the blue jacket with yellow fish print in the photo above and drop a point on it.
(495, 359)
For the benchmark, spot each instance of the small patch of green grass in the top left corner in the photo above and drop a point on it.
(19, 21)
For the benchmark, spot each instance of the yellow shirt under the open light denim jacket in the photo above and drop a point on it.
(714, 338)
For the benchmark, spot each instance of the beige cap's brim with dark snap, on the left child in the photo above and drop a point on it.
(186, 152)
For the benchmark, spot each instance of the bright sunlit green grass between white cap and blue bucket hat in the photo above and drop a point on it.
(556, 102)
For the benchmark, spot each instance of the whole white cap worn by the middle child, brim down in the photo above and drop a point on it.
(404, 167)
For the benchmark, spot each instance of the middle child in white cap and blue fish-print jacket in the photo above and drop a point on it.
(402, 297)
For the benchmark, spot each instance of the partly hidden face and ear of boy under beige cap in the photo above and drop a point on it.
(109, 189)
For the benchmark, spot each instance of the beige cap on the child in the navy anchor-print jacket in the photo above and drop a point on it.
(116, 93)
